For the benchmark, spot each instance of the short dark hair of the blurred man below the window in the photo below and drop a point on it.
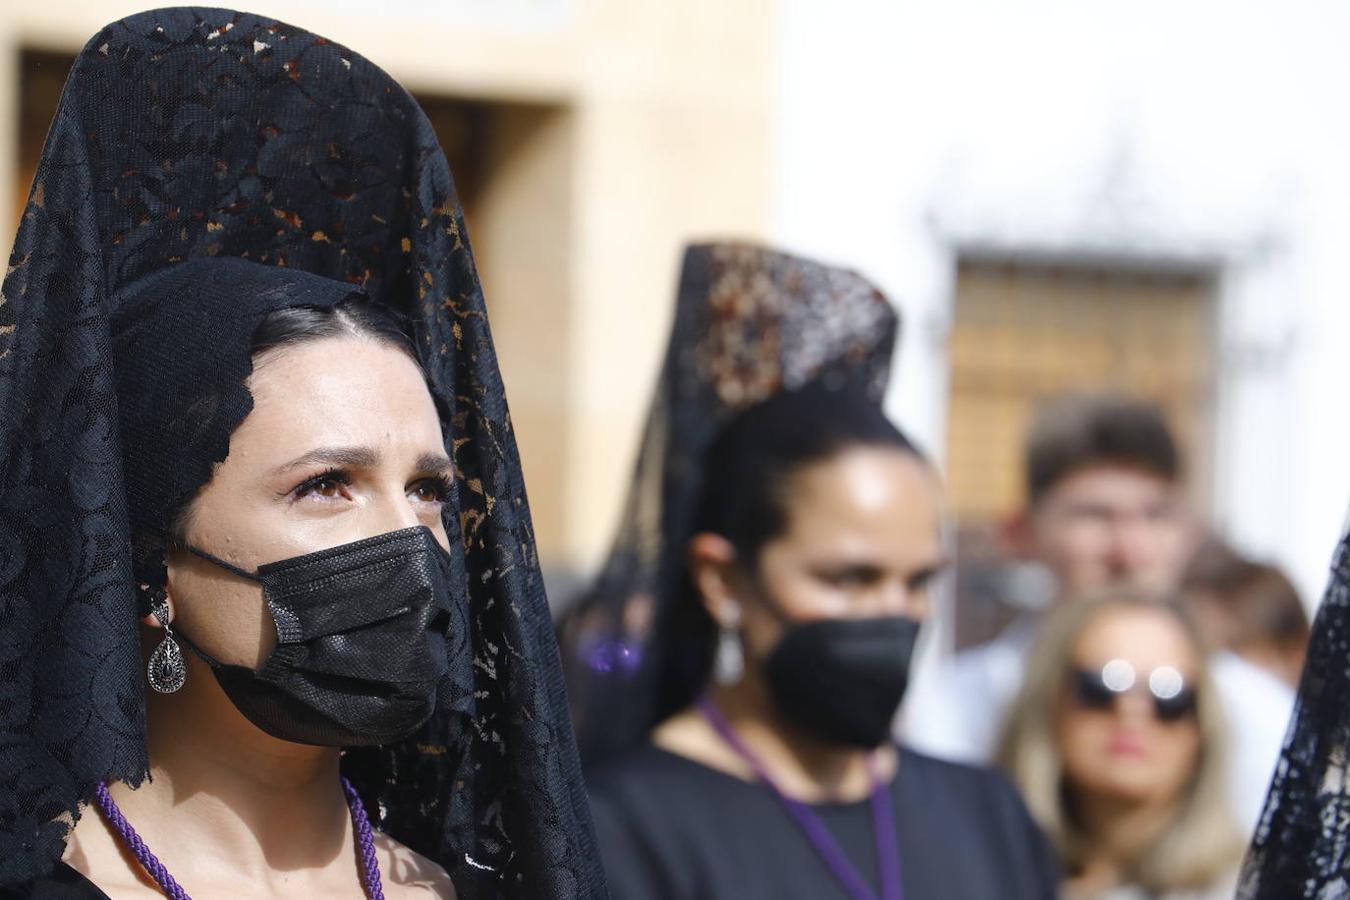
(1077, 432)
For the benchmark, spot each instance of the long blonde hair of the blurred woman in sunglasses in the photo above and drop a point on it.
(1202, 844)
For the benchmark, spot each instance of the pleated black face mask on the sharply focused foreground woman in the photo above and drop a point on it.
(361, 642)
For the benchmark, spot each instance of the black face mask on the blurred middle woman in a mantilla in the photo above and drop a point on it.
(843, 679)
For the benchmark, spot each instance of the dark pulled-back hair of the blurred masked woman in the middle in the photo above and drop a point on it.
(745, 497)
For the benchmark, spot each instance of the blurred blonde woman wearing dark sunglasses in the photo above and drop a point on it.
(1117, 743)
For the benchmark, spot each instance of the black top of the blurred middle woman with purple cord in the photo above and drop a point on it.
(672, 829)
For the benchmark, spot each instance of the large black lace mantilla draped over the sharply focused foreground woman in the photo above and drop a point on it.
(187, 138)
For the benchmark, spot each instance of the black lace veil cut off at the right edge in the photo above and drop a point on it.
(1302, 845)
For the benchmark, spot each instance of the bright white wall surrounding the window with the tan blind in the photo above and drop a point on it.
(1209, 132)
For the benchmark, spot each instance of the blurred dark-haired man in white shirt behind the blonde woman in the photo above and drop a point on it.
(1105, 508)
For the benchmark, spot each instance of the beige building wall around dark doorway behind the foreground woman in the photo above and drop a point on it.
(628, 128)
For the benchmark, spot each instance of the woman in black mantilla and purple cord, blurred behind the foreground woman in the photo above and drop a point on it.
(739, 663)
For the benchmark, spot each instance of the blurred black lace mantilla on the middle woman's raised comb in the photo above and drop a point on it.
(750, 322)
